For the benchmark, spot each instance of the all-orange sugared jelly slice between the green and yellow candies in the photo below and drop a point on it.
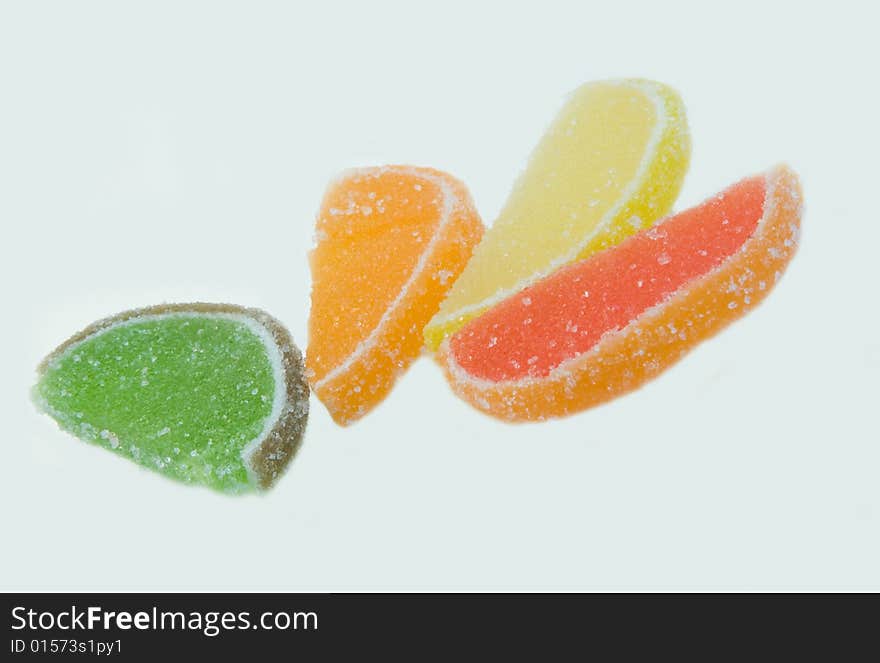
(390, 243)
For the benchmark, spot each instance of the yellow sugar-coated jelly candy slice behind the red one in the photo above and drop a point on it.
(611, 163)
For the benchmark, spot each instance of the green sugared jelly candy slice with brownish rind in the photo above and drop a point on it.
(209, 394)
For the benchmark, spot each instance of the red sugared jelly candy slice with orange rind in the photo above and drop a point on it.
(604, 326)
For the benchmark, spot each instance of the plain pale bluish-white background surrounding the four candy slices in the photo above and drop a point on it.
(170, 151)
